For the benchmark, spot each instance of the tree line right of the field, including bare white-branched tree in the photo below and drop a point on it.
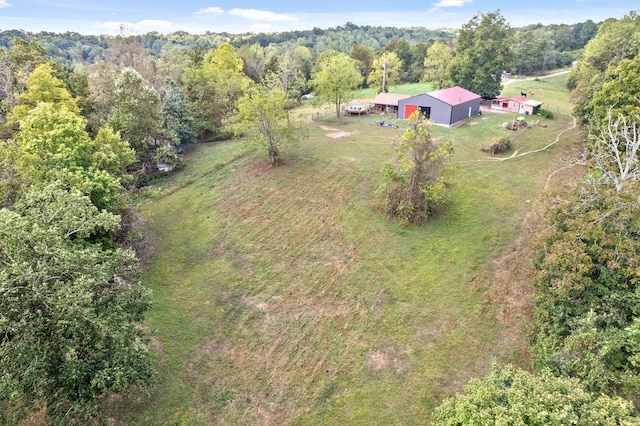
(585, 342)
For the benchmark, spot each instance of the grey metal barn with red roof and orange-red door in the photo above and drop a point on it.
(445, 107)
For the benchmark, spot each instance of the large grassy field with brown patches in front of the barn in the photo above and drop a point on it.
(283, 295)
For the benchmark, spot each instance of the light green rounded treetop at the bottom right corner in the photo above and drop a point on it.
(514, 397)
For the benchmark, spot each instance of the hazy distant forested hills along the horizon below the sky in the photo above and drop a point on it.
(537, 47)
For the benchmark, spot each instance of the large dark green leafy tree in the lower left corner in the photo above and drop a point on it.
(70, 309)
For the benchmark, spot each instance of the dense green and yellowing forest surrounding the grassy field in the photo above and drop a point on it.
(86, 120)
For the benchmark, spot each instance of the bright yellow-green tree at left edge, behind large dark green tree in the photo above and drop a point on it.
(53, 145)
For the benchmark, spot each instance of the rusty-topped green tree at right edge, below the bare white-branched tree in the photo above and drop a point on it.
(587, 291)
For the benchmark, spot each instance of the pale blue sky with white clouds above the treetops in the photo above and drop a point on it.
(216, 16)
